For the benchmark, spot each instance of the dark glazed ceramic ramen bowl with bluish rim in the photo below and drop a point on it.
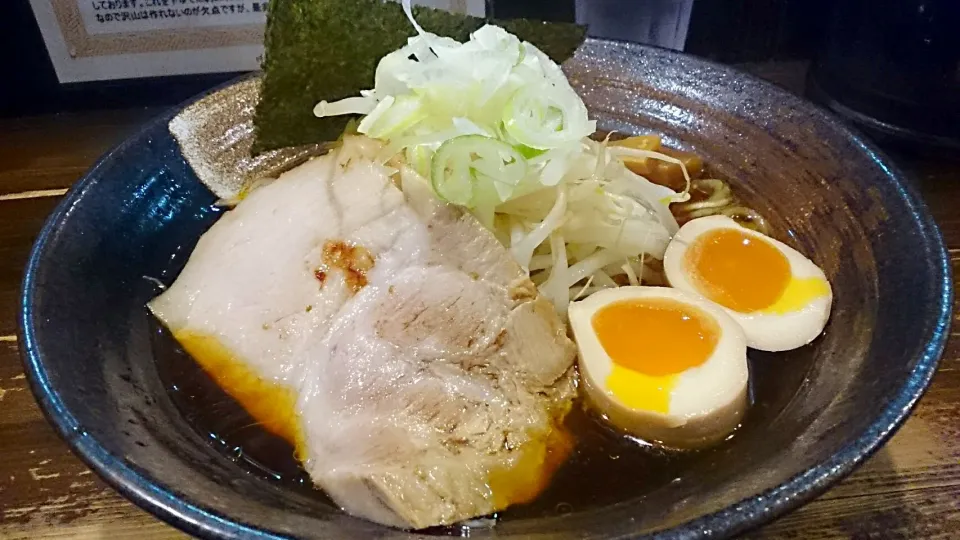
(819, 411)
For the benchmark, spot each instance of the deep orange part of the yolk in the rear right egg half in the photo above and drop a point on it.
(739, 271)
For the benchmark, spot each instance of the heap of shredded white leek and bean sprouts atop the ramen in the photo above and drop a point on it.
(494, 126)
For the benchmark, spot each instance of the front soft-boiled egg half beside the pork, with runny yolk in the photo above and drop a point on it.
(661, 364)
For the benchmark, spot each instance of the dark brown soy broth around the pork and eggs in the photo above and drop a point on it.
(581, 484)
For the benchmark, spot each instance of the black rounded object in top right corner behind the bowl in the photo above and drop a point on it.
(893, 68)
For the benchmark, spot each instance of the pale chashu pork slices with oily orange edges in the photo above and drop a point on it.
(393, 341)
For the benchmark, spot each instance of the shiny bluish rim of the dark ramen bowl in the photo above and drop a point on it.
(746, 514)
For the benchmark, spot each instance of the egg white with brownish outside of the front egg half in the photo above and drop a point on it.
(707, 402)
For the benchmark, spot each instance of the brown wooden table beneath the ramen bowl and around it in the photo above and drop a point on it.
(910, 489)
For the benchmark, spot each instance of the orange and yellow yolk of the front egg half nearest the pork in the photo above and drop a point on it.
(651, 341)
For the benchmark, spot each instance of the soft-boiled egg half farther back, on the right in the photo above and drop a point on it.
(780, 298)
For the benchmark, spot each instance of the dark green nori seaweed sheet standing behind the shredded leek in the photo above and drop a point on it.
(329, 49)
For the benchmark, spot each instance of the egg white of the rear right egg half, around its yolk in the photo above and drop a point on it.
(765, 331)
